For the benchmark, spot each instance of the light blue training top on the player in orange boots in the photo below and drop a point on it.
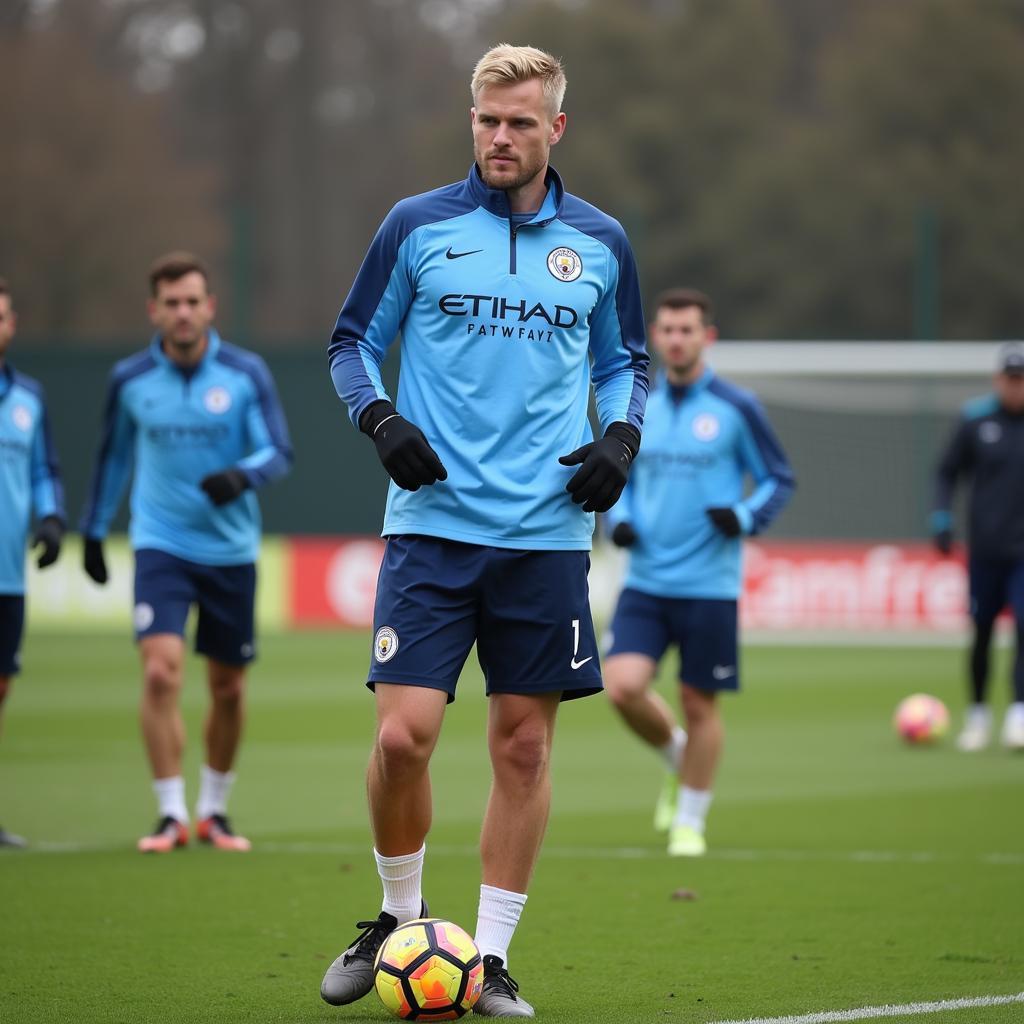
(178, 426)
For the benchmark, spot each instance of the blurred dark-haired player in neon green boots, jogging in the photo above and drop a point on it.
(684, 518)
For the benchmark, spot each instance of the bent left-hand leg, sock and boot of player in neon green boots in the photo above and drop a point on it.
(627, 681)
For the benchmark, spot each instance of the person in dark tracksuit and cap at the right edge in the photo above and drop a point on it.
(988, 446)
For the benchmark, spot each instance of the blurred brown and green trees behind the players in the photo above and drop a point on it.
(818, 167)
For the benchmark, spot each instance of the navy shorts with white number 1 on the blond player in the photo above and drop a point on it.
(528, 612)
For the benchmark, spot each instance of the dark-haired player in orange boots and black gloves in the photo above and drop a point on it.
(201, 420)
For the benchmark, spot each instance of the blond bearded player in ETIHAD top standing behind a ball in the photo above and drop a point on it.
(511, 296)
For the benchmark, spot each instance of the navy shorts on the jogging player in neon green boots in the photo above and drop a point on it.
(704, 629)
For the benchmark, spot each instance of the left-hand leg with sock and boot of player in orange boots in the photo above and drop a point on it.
(164, 734)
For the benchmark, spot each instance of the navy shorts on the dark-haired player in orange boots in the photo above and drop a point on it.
(166, 587)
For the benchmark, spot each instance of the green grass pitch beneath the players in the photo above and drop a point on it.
(845, 869)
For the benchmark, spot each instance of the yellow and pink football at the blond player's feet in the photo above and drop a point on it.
(429, 970)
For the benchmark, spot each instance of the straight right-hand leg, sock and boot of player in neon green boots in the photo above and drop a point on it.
(706, 737)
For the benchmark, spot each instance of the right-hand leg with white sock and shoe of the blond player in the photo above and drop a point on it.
(521, 731)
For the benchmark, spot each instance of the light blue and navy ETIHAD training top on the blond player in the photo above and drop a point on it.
(504, 327)
